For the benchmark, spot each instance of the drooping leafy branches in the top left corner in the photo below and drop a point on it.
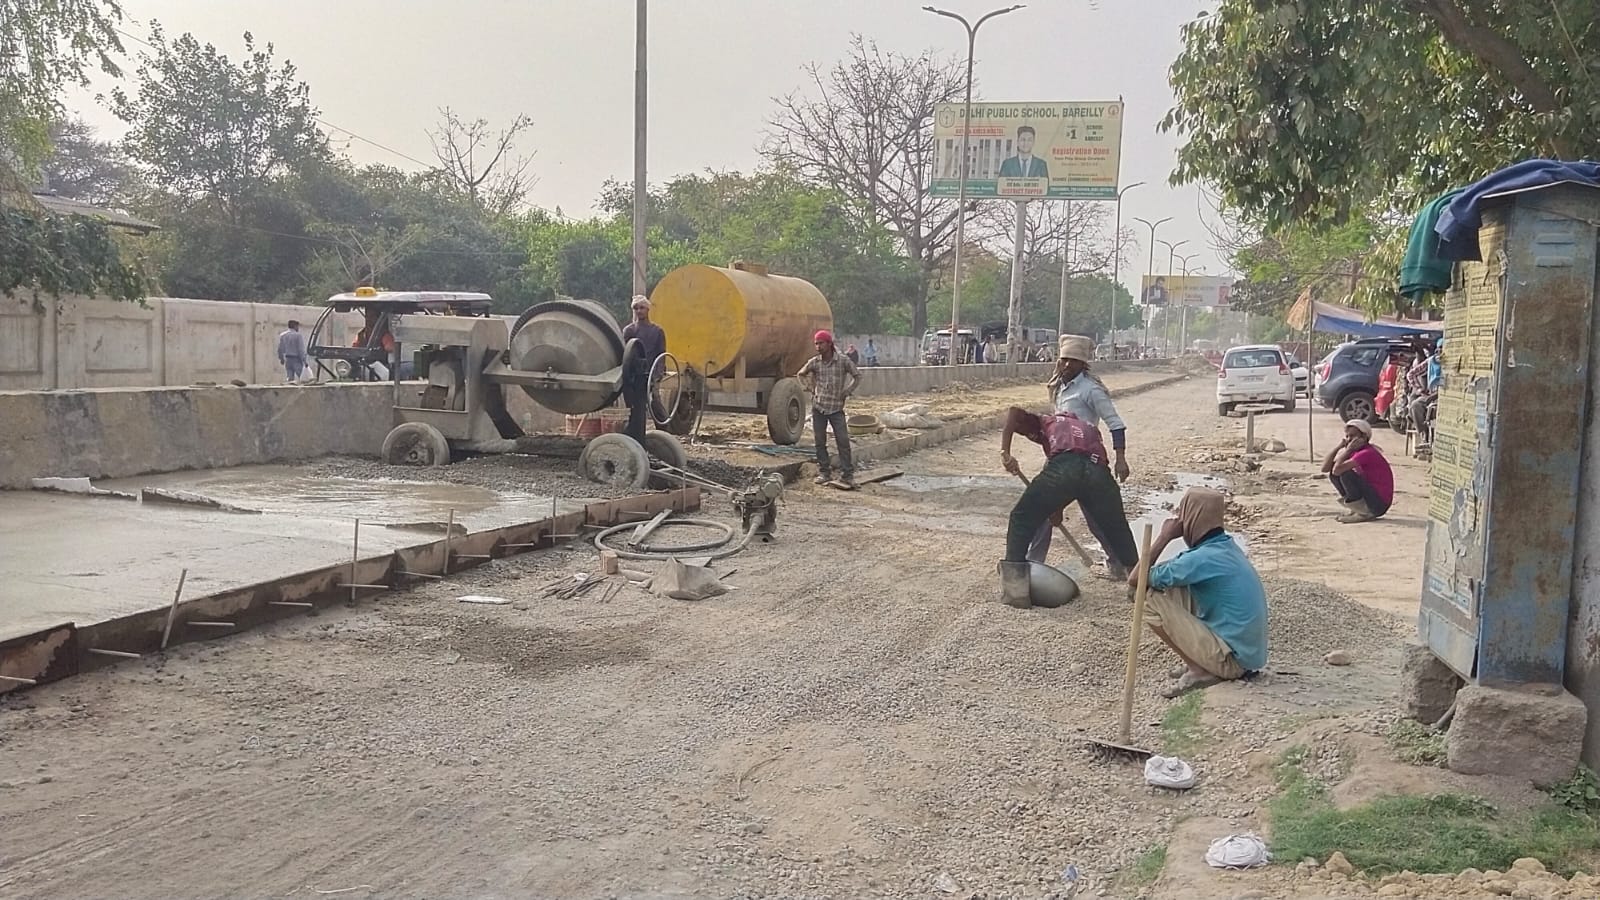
(46, 47)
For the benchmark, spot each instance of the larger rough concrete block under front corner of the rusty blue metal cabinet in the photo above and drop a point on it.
(1535, 733)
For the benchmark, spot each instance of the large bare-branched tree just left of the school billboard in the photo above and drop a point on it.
(865, 127)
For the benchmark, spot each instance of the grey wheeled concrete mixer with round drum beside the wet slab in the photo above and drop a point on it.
(566, 355)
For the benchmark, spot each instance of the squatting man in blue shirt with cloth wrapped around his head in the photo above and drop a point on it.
(1207, 605)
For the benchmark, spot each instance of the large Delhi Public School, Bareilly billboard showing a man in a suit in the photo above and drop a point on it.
(1020, 151)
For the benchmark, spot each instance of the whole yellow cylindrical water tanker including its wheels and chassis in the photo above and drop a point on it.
(738, 335)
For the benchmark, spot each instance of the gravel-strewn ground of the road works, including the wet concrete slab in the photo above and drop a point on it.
(857, 717)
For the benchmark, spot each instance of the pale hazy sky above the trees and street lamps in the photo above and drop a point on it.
(383, 68)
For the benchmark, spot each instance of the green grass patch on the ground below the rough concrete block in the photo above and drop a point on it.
(1441, 834)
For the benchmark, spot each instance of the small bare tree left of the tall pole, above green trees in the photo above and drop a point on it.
(481, 163)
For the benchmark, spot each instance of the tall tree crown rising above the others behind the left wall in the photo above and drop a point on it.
(214, 131)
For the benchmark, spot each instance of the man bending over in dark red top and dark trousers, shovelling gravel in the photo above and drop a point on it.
(1076, 470)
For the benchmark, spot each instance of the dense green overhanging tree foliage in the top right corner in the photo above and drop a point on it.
(1311, 111)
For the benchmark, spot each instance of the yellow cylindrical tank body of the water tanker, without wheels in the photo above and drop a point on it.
(740, 321)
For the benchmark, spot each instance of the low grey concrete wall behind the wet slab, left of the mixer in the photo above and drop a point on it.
(122, 433)
